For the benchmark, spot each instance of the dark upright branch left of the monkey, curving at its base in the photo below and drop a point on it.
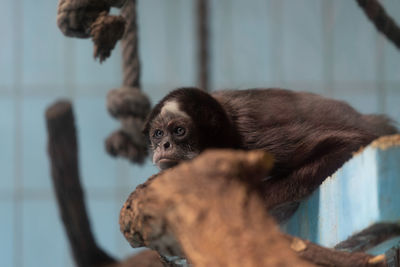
(62, 149)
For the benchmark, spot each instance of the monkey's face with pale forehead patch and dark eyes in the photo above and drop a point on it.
(172, 136)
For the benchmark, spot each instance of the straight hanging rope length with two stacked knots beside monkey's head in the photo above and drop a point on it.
(128, 103)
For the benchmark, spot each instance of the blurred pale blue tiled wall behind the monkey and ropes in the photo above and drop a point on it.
(324, 46)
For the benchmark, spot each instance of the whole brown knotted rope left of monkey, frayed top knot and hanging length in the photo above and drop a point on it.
(90, 18)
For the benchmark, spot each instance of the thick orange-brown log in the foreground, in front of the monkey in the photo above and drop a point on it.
(208, 211)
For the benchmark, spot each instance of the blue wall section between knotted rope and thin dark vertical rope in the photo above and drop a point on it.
(166, 45)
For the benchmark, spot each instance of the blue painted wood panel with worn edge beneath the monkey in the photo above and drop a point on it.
(361, 193)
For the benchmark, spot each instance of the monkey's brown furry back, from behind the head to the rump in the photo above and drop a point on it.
(297, 127)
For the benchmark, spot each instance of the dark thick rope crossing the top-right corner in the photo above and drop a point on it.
(382, 21)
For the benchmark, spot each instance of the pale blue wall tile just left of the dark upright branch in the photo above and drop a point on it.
(35, 162)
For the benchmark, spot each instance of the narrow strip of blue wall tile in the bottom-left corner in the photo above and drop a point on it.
(7, 233)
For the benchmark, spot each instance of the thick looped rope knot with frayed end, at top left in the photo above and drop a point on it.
(90, 18)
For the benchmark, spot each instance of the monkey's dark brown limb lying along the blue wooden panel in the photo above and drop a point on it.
(318, 157)
